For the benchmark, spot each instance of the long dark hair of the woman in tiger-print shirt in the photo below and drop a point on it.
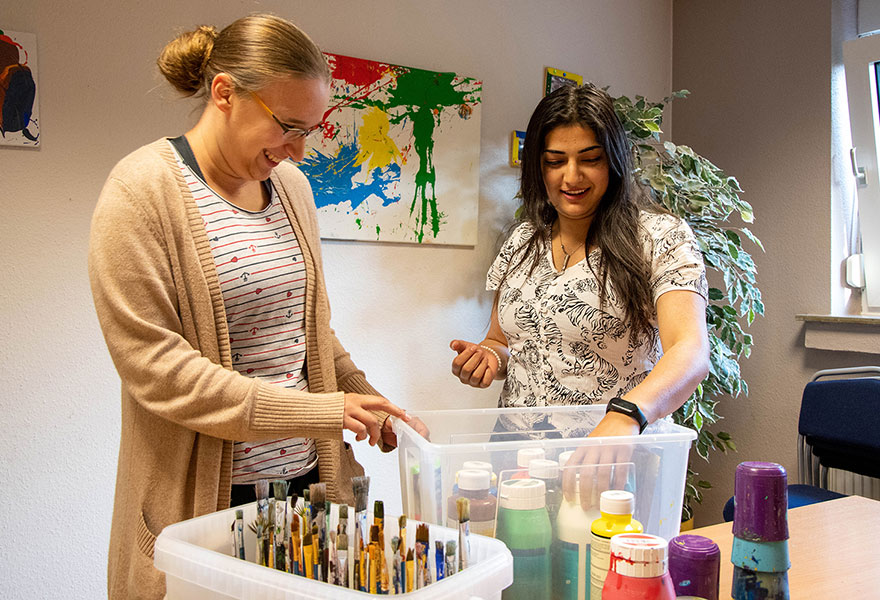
(614, 229)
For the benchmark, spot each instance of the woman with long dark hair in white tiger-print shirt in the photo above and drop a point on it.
(600, 295)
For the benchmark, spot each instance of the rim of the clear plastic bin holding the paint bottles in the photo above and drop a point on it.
(683, 435)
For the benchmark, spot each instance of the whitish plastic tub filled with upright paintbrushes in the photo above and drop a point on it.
(196, 557)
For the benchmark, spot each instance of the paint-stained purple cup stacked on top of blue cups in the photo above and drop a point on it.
(760, 496)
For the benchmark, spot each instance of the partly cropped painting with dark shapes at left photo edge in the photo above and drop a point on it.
(19, 107)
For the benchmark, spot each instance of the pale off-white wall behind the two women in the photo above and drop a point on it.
(396, 306)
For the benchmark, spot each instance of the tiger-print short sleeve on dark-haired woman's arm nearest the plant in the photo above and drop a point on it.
(676, 260)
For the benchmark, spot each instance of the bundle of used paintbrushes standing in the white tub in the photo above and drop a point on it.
(309, 540)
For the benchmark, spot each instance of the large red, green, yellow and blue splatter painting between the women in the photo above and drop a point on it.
(399, 157)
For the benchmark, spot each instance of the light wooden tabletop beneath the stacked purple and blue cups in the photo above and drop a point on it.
(834, 548)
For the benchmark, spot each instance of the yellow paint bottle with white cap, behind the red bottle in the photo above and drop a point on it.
(616, 508)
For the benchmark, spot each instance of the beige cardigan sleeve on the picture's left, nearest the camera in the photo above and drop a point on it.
(132, 270)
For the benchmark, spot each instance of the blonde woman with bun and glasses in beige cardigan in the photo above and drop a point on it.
(205, 265)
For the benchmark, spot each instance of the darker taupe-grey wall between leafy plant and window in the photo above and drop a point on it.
(760, 108)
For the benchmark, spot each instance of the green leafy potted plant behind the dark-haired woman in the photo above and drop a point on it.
(693, 188)
